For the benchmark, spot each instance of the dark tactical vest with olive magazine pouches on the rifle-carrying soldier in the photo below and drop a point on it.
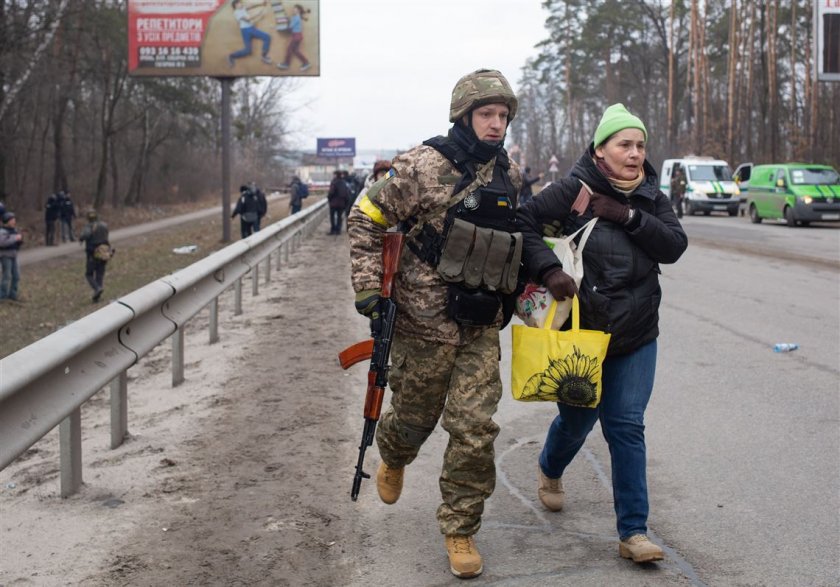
(480, 247)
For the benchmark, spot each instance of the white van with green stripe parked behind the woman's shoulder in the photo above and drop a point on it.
(709, 185)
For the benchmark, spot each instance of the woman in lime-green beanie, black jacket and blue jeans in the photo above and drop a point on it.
(636, 231)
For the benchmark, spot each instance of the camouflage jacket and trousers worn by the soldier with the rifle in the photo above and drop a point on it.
(439, 368)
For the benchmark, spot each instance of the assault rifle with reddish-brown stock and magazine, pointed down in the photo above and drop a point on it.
(378, 350)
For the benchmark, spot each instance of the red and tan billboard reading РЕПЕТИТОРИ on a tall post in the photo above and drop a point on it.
(224, 38)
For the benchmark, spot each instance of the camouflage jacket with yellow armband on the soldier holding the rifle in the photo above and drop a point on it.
(423, 180)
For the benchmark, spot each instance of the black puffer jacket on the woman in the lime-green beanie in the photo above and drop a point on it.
(620, 291)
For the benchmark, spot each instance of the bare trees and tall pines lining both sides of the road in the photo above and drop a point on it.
(730, 79)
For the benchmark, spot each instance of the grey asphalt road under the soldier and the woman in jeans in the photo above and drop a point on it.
(743, 443)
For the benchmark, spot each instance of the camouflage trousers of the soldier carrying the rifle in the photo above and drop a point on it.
(462, 384)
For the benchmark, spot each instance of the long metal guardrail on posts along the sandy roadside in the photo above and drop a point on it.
(45, 384)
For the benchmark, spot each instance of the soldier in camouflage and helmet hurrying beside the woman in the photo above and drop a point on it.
(445, 353)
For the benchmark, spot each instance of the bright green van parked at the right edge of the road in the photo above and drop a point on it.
(799, 193)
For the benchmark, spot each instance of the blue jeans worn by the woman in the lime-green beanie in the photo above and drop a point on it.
(627, 386)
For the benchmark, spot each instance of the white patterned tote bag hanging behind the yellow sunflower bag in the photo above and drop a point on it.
(533, 305)
